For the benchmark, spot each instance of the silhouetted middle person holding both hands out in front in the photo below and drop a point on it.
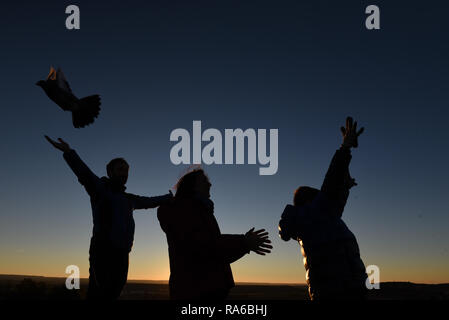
(200, 256)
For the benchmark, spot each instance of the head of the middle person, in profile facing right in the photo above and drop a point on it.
(194, 183)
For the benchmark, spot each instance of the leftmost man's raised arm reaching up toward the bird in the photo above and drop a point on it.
(85, 176)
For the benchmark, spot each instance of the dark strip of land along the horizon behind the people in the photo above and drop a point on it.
(20, 287)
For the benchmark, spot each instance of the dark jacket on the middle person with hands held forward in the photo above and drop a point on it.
(200, 256)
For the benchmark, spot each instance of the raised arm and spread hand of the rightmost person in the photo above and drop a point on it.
(338, 181)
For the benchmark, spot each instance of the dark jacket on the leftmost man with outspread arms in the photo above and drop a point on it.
(112, 207)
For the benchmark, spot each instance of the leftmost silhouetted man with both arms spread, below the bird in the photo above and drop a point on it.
(112, 212)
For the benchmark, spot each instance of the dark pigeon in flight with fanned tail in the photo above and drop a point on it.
(84, 111)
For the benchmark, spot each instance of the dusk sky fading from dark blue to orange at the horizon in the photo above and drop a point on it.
(297, 66)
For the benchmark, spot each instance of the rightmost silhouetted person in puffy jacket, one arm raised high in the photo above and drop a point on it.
(334, 269)
